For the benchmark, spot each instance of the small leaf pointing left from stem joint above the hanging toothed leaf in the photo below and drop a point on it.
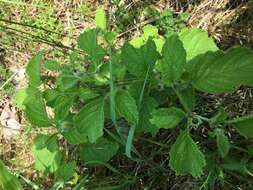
(167, 118)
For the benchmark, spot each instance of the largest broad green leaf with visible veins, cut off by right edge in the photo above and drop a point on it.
(223, 72)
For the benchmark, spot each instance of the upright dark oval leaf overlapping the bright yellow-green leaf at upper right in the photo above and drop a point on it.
(174, 59)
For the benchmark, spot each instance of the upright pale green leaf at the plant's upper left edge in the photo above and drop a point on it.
(33, 70)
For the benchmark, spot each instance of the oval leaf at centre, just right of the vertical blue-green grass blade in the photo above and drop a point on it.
(126, 106)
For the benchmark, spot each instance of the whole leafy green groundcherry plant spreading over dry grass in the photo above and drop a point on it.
(101, 101)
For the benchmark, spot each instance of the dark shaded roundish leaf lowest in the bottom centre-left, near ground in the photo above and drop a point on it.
(103, 150)
